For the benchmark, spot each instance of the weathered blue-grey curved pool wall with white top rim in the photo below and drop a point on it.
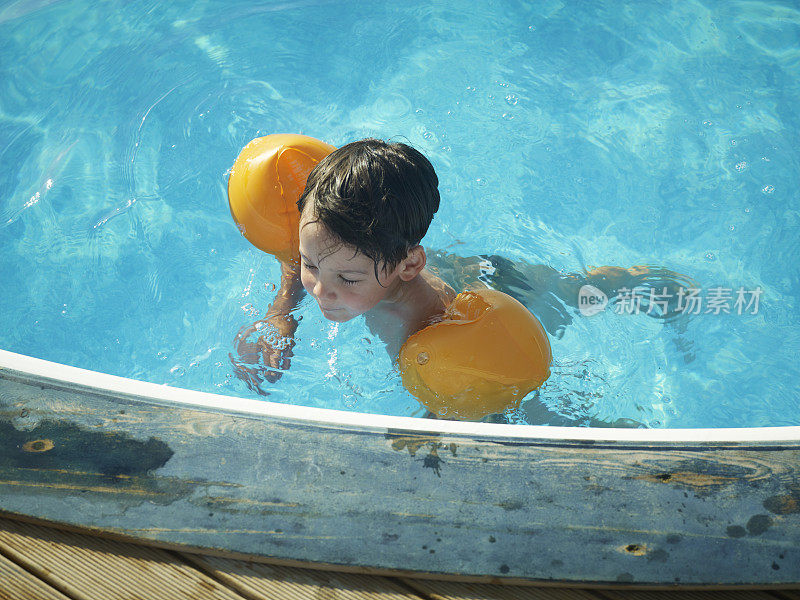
(544, 504)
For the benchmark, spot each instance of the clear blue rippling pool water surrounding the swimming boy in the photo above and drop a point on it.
(566, 134)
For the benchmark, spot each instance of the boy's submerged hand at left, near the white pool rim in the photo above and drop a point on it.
(272, 349)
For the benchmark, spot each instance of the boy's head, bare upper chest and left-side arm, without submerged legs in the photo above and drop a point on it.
(364, 211)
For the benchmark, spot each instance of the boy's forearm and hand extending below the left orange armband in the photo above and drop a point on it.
(274, 348)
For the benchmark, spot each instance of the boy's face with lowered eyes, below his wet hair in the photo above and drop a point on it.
(342, 282)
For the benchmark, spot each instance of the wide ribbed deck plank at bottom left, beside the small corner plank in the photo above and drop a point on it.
(88, 568)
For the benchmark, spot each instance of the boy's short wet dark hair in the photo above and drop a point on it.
(375, 196)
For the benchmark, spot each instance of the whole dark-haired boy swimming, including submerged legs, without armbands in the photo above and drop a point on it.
(364, 212)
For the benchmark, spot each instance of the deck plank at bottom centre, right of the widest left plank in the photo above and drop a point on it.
(258, 580)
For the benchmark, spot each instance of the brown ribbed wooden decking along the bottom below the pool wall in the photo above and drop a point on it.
(39, 562)
